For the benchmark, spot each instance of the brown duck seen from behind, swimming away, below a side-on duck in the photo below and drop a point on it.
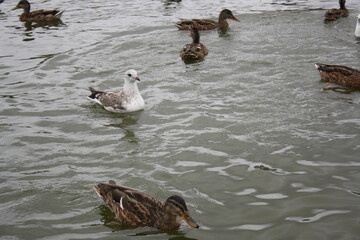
(195, 51)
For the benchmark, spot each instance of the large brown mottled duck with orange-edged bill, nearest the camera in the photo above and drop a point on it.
(137, 209)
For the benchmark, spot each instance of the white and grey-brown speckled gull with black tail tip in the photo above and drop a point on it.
(128, 99)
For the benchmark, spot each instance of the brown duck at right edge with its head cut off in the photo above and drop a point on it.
(338, 74)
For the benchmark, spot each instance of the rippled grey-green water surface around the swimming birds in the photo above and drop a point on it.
(248, 137)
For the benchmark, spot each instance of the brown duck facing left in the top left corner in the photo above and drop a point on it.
(38, 15)
